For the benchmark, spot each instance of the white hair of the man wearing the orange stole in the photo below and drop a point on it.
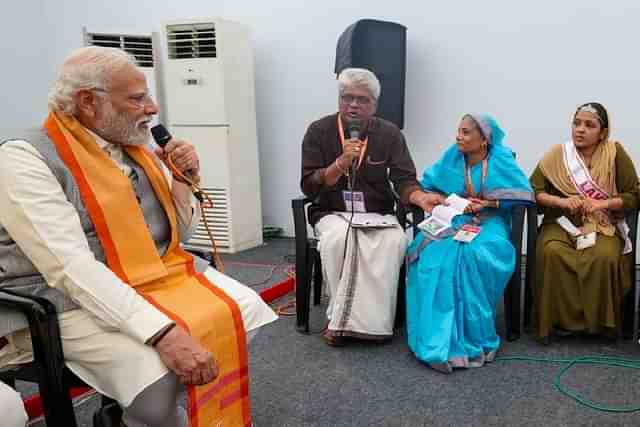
(86, 68)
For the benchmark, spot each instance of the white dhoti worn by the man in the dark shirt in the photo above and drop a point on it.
(362, 283)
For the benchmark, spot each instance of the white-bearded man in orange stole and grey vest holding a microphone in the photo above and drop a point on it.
(89, 220)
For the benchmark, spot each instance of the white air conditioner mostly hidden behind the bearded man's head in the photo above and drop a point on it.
(143, 47)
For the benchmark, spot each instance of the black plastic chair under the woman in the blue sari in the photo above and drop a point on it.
(513, 291)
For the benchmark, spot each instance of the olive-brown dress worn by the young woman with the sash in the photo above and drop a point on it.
(581, 290)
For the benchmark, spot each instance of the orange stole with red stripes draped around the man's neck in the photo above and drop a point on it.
(170, 281)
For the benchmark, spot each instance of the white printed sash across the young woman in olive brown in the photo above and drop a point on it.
(587, 187)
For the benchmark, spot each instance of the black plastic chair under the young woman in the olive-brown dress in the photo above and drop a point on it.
(630, 309)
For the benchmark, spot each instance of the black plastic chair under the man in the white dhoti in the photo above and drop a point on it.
(309, 266)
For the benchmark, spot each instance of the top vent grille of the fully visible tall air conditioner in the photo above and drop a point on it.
(190, 41)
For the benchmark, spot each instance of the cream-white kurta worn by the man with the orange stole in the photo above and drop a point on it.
(103, 341)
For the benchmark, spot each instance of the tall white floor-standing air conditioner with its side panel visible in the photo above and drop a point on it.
(208, 80)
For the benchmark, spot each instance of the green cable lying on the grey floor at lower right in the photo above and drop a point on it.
(585, 360)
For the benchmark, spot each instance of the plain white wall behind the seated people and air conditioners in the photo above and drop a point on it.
(528, 63)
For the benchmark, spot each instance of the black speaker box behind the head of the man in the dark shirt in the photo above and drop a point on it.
(380, 47)
